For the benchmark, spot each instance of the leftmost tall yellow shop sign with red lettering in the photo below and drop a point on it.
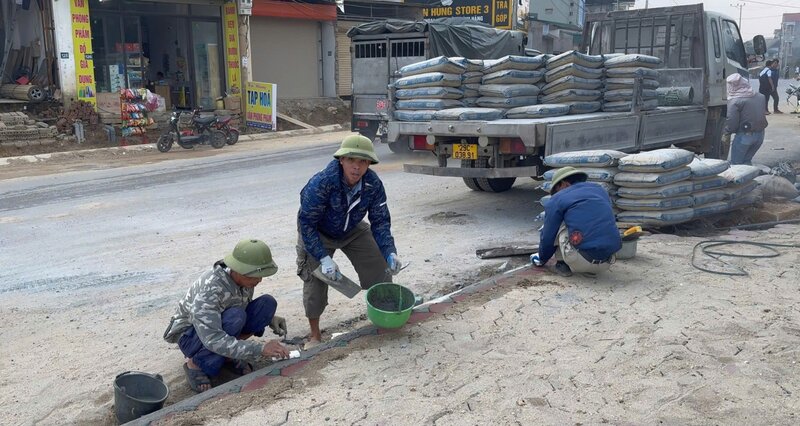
(82, 50)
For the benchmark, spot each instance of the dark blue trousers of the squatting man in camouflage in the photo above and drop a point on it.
(253, 319)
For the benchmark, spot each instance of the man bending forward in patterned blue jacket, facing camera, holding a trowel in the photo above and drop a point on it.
(333, 205)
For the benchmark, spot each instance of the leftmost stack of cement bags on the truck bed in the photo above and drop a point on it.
(428, 86)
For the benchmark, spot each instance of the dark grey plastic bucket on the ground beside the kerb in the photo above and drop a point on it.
(137, 394)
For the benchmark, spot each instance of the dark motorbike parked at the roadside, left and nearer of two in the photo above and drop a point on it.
(203, 131)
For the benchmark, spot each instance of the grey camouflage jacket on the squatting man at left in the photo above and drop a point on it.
(202, 307)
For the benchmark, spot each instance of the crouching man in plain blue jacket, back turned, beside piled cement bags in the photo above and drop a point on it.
(579, 226)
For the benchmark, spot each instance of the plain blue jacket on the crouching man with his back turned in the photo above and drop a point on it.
(586, 210)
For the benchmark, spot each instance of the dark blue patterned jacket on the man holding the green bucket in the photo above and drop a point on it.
(324, 209)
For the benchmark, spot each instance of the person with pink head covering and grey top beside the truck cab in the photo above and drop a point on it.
(746, 118)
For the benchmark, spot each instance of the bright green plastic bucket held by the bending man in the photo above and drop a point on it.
(389, 305)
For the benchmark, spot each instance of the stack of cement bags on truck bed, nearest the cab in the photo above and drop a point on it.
(621, 73)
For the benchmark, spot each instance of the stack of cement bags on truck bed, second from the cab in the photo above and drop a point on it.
(574, 79)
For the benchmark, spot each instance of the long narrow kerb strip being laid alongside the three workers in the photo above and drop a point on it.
(258, 379)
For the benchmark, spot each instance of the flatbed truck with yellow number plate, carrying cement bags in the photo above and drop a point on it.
(698, 49)
